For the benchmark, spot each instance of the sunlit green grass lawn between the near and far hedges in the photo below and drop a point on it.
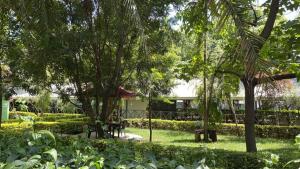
(225, 142)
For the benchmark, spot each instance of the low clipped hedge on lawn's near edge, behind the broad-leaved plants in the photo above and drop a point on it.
(215, 158)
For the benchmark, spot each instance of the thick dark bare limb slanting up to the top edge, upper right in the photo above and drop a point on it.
(271, 19)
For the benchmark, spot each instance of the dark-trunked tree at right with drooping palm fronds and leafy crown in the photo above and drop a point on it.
(251, 65)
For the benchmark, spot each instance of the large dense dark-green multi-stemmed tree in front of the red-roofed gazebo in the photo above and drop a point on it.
(90, 46)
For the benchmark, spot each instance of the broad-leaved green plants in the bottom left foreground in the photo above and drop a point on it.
(41, 149)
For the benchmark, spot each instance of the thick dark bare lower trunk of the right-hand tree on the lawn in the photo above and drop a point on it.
(249, 116)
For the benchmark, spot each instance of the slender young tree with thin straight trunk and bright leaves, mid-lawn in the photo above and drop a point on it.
(157, 77)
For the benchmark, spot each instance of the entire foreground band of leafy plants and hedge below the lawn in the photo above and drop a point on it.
(43, 150)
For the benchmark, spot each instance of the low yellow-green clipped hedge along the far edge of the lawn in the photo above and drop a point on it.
(282, 132)
